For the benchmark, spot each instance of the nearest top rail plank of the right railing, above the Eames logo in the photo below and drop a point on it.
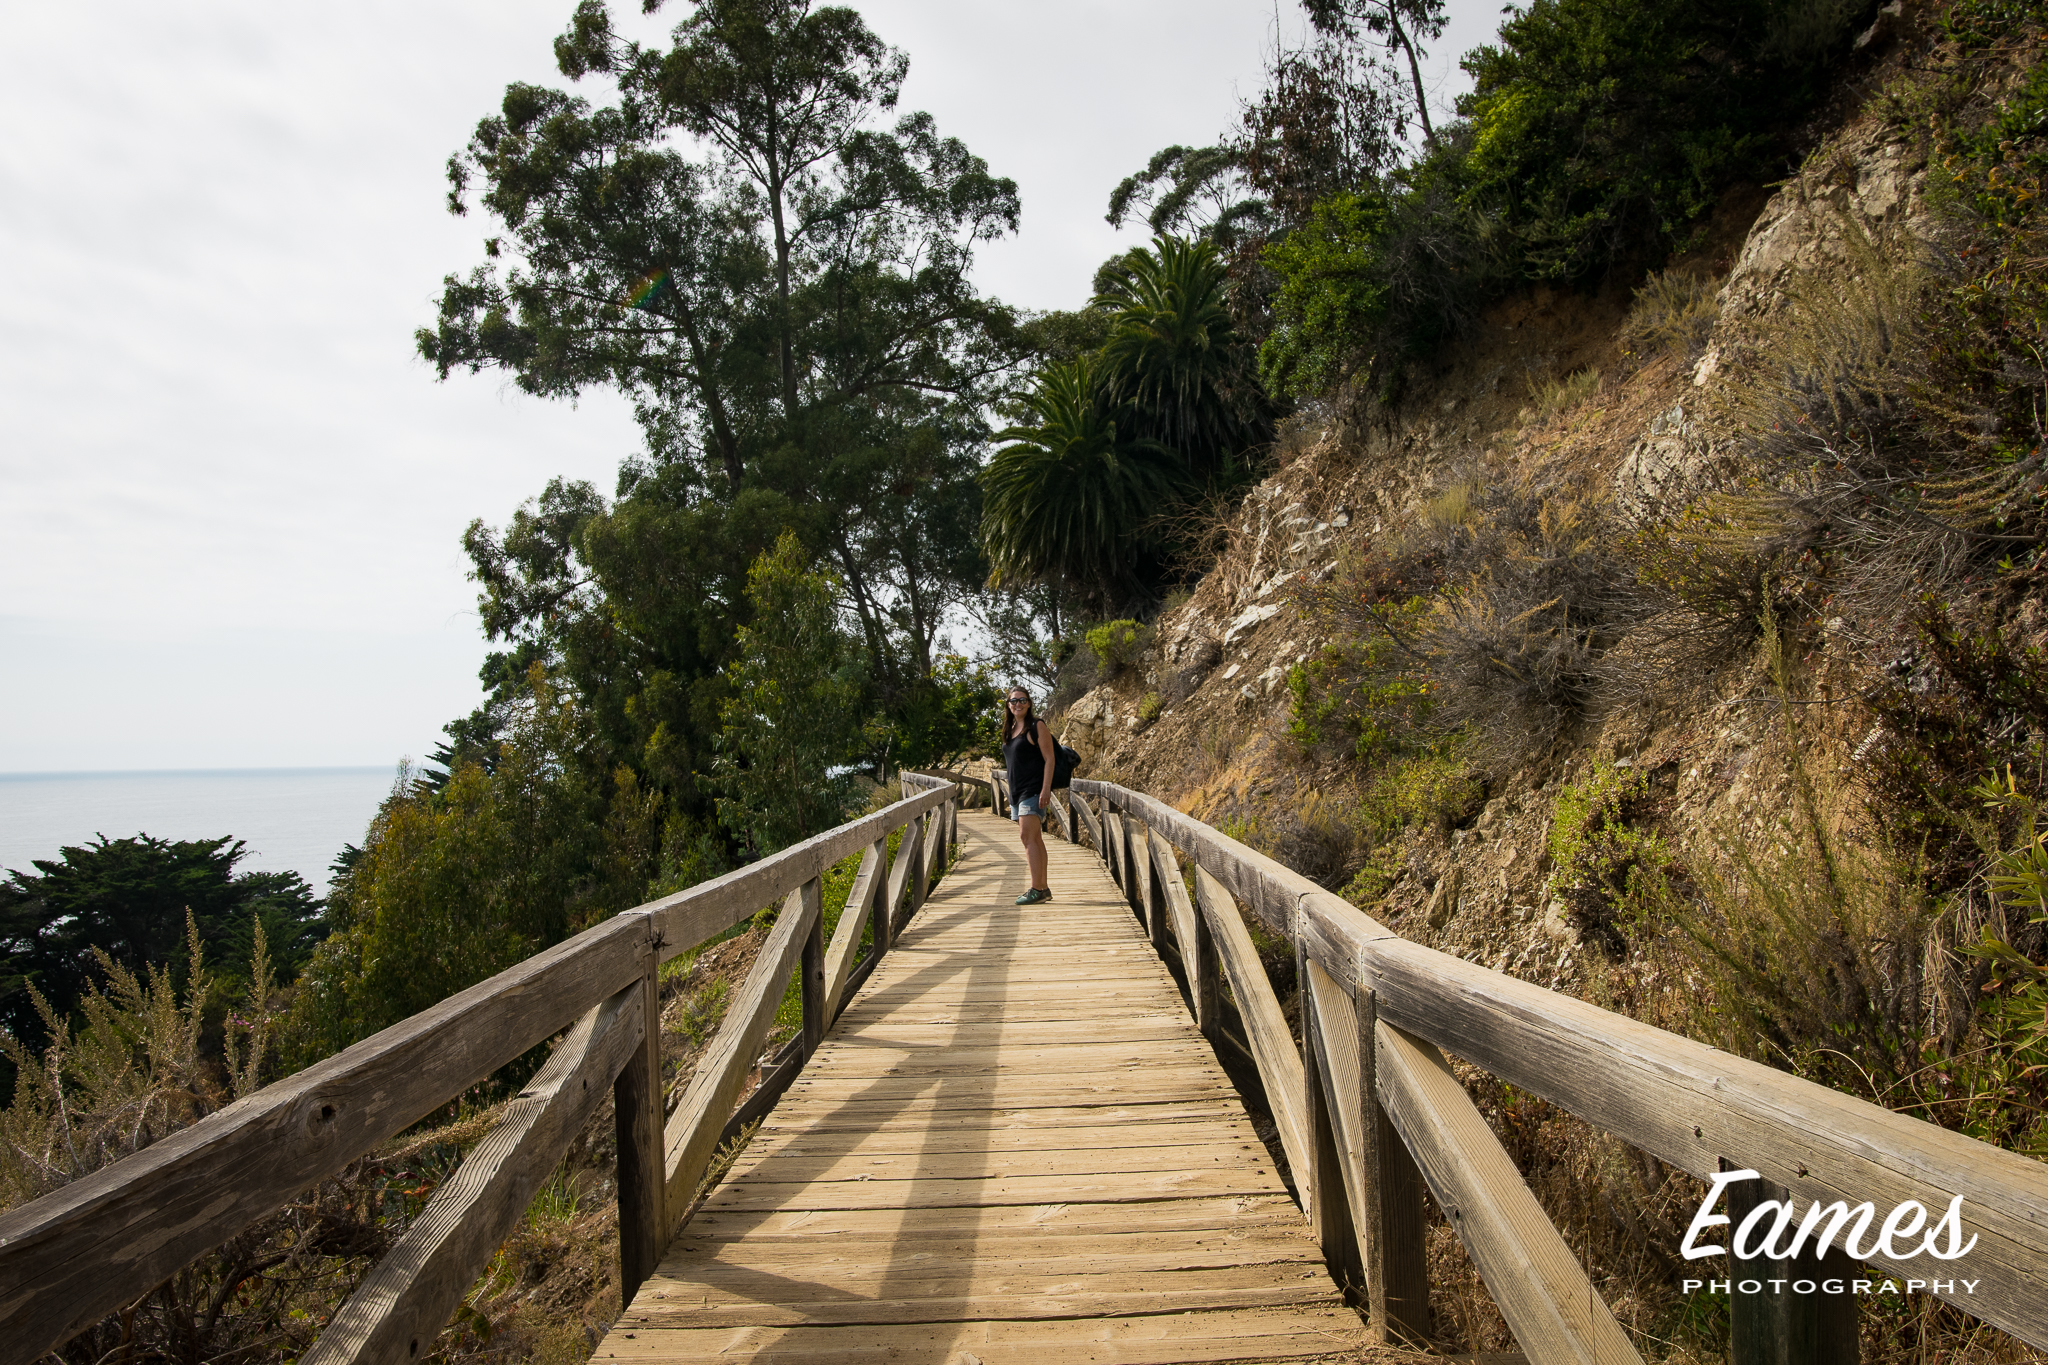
(1695, 1106)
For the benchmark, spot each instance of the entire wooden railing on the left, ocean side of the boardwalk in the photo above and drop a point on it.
(110, 1239)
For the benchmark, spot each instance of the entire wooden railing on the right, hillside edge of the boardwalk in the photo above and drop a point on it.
(1371, 1114)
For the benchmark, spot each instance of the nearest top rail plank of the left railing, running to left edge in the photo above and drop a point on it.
(105, 1239)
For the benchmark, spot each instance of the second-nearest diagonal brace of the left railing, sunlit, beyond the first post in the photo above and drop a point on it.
(693, 1131)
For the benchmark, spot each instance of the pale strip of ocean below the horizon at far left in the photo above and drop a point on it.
(294, 820)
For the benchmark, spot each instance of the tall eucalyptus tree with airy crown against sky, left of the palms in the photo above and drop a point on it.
(738, 232)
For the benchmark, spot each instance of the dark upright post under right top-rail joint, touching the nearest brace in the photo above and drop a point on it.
(1396, 1237)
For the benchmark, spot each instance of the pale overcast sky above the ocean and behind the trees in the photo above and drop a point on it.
(230, 496)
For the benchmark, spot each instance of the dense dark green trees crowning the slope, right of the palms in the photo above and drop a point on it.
(1598, 134)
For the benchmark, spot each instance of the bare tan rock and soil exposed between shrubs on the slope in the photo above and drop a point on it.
(1203, 717)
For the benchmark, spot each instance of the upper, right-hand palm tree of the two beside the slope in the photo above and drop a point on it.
(1175, 357)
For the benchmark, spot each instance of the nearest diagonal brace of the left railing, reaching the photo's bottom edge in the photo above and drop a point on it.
(398, 1311)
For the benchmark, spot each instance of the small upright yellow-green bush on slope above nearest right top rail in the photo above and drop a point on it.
(1607, 867)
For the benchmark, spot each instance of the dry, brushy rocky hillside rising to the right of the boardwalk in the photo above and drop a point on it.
(1656, 646)
